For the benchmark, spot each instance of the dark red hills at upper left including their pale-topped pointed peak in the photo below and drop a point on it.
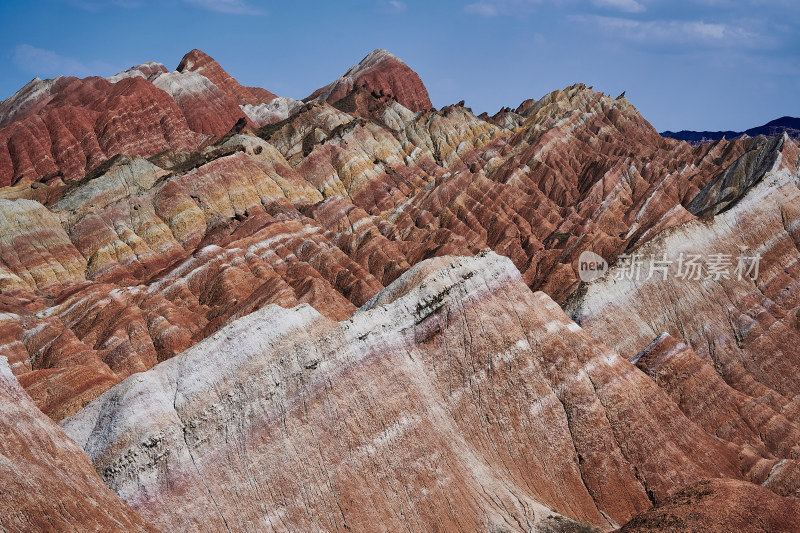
(60, 129)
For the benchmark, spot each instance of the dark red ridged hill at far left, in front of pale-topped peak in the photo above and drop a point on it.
(84, 122)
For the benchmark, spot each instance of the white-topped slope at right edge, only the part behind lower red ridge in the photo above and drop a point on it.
(745, 327)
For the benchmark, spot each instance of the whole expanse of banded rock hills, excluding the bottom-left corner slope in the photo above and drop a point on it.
(348, 311)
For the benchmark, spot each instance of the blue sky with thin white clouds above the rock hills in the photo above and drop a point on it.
(695, 64)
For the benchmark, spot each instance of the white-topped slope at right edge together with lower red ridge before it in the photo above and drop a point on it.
(735, 370)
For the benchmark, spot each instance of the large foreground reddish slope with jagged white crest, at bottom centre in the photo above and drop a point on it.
(456, 382)
